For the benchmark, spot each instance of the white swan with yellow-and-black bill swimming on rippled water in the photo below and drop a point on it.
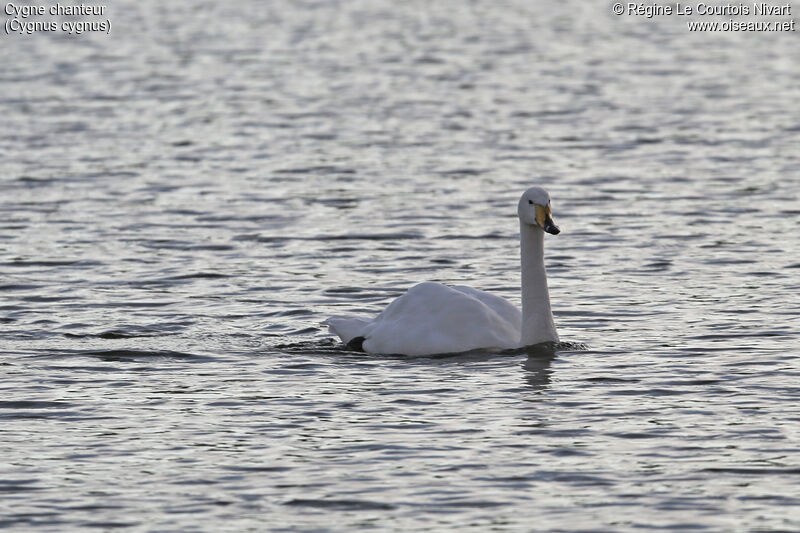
(431, 318)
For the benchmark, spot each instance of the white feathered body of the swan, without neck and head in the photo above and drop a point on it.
(433, 318)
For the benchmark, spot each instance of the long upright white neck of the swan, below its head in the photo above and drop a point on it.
(537, 317)
